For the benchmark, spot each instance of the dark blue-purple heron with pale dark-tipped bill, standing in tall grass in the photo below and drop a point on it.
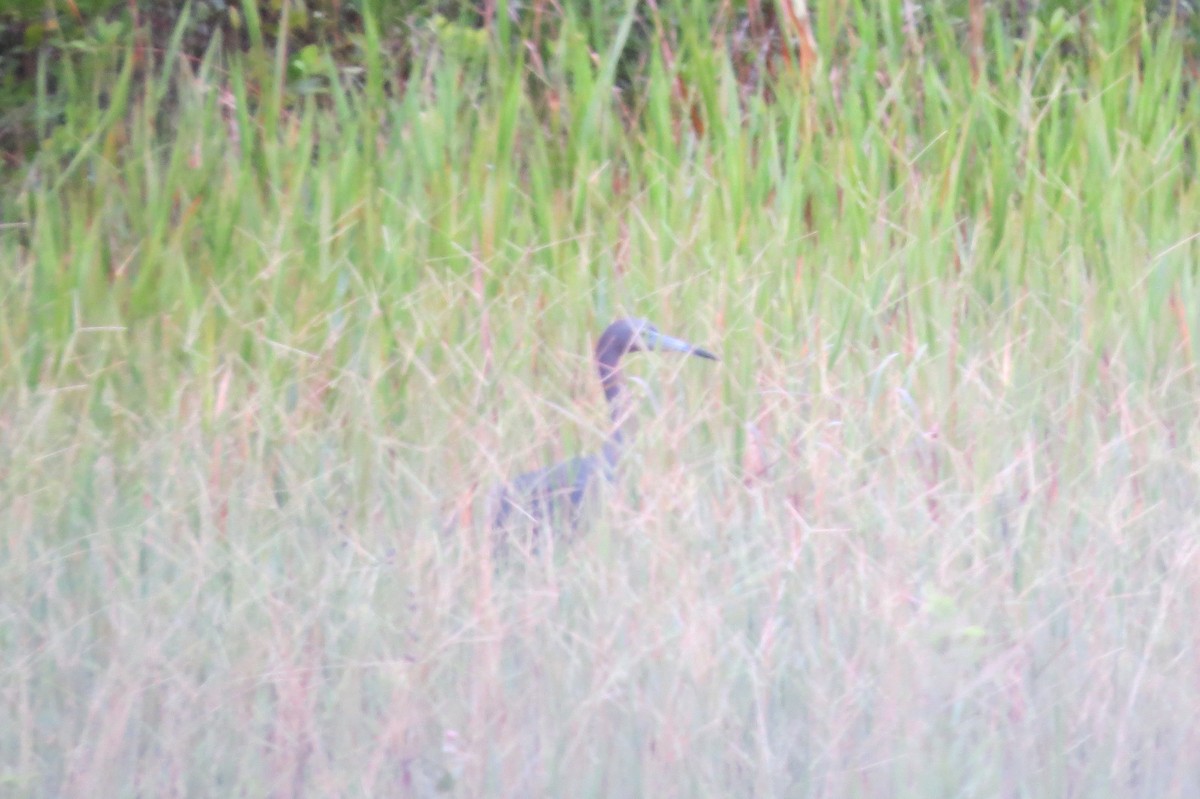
(557, 494)
